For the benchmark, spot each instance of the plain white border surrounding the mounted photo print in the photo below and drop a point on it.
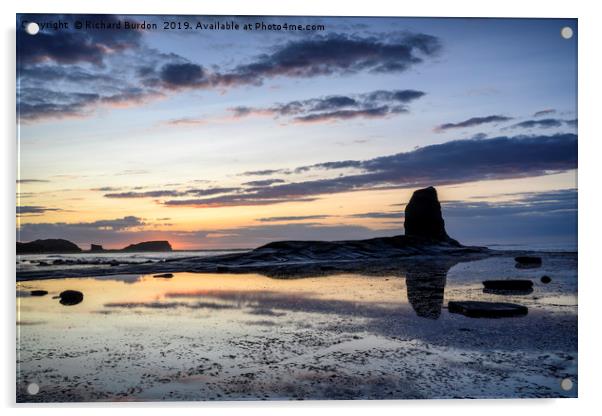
(589, 194)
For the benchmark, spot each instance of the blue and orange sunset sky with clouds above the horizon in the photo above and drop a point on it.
(235, 138)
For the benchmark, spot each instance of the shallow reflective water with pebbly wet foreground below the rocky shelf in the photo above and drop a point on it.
(247, 336)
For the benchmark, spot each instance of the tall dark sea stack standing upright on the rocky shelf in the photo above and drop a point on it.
(423, 216)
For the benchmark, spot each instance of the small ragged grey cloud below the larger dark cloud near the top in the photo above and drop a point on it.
(376, 104)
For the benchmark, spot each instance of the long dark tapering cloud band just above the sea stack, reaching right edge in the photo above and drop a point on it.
(453, 162)
